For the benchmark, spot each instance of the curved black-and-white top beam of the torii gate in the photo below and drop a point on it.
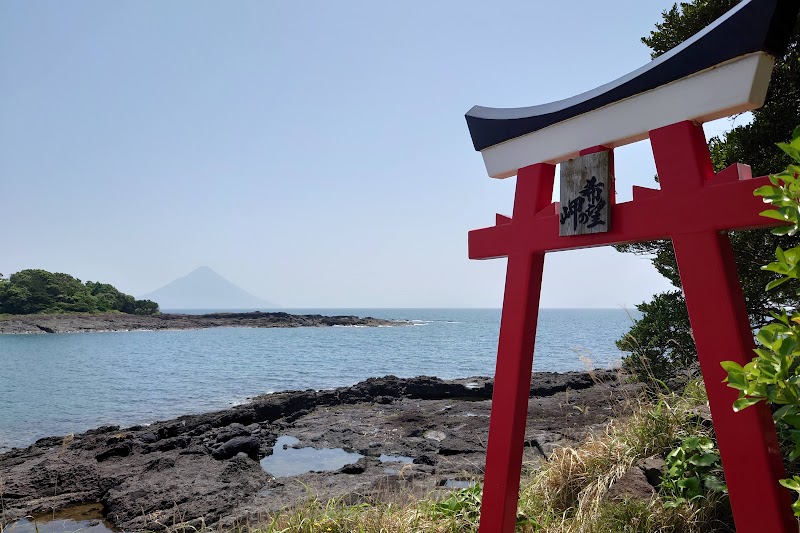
(722, 70)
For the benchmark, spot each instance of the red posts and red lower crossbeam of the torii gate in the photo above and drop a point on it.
(693, 207)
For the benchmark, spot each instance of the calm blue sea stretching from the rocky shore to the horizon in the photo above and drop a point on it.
(68, 383)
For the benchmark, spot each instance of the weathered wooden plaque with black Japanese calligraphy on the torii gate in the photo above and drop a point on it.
(585, 184)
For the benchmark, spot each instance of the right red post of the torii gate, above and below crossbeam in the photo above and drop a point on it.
(747, 442)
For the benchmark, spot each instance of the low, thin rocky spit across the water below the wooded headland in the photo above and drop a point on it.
(79, 323)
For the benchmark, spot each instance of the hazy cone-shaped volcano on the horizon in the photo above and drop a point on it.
(205, 289)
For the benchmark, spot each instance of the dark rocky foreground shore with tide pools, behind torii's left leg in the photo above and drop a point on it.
(413, 435)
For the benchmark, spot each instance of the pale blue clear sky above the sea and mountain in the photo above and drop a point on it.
(313, 152)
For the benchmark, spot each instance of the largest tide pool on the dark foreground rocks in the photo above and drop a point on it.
(289, 461)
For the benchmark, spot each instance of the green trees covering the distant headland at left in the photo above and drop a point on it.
(39, 291)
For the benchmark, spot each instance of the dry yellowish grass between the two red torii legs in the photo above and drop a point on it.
(567, 494)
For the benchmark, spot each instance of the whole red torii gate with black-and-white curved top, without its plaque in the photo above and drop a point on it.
(694, 208)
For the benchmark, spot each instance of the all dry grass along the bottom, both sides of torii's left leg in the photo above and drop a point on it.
(566, 494)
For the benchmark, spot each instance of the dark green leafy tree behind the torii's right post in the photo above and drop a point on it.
(753, 144)
